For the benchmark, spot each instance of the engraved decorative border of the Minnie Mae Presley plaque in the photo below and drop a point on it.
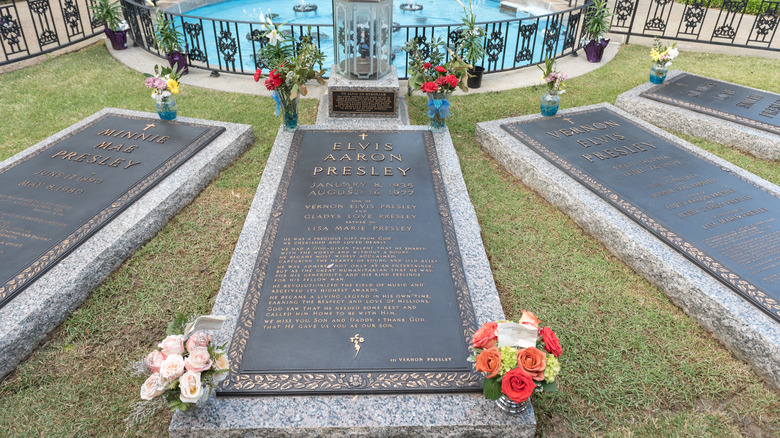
(57, 252)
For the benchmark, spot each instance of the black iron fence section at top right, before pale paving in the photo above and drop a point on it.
(696, 20)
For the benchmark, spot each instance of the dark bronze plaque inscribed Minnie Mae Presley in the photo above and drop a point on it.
(54, 199)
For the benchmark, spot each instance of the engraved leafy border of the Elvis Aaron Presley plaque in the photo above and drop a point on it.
(272, 383)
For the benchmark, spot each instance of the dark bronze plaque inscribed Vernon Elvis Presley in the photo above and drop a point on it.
(718, 220)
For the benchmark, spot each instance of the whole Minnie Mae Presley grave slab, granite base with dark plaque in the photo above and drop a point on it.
(47, 300)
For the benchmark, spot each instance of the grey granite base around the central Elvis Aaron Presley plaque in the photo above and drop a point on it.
(349, 415)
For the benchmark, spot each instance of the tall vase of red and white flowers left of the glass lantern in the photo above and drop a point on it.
(292, 65)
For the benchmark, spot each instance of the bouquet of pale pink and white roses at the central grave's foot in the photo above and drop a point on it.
(184, 367)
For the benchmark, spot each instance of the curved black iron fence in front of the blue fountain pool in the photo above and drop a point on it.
(230, 46)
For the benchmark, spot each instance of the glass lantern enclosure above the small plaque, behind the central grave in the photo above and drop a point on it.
(363, 37)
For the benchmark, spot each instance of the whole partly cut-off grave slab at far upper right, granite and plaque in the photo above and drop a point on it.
(734, 115)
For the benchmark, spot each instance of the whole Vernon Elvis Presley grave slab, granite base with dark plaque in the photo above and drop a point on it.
(566, 181)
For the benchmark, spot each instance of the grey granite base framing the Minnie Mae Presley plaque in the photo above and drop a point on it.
(48, 302)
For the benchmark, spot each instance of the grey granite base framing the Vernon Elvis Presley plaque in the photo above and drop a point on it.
(744, 329)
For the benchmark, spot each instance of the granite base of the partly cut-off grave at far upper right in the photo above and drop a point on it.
(758, 142)
